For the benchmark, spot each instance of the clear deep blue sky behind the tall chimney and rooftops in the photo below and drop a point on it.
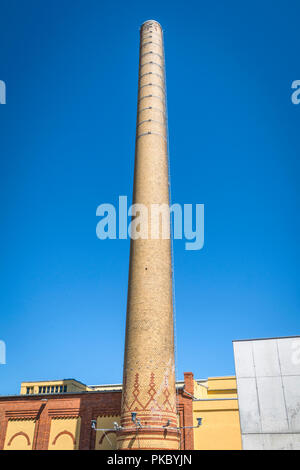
(67, 145)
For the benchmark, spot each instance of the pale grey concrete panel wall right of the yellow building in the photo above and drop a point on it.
(268, 386)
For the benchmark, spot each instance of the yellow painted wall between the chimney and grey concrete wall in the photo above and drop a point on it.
(217, 405)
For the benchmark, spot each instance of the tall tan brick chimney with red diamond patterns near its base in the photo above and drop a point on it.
(149, 369)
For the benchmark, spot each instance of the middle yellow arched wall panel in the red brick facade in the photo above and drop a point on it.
(60, 430)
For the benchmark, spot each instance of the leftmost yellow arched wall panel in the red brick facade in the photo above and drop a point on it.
(20, 442)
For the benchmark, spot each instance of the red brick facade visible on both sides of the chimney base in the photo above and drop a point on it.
(88, 406)
